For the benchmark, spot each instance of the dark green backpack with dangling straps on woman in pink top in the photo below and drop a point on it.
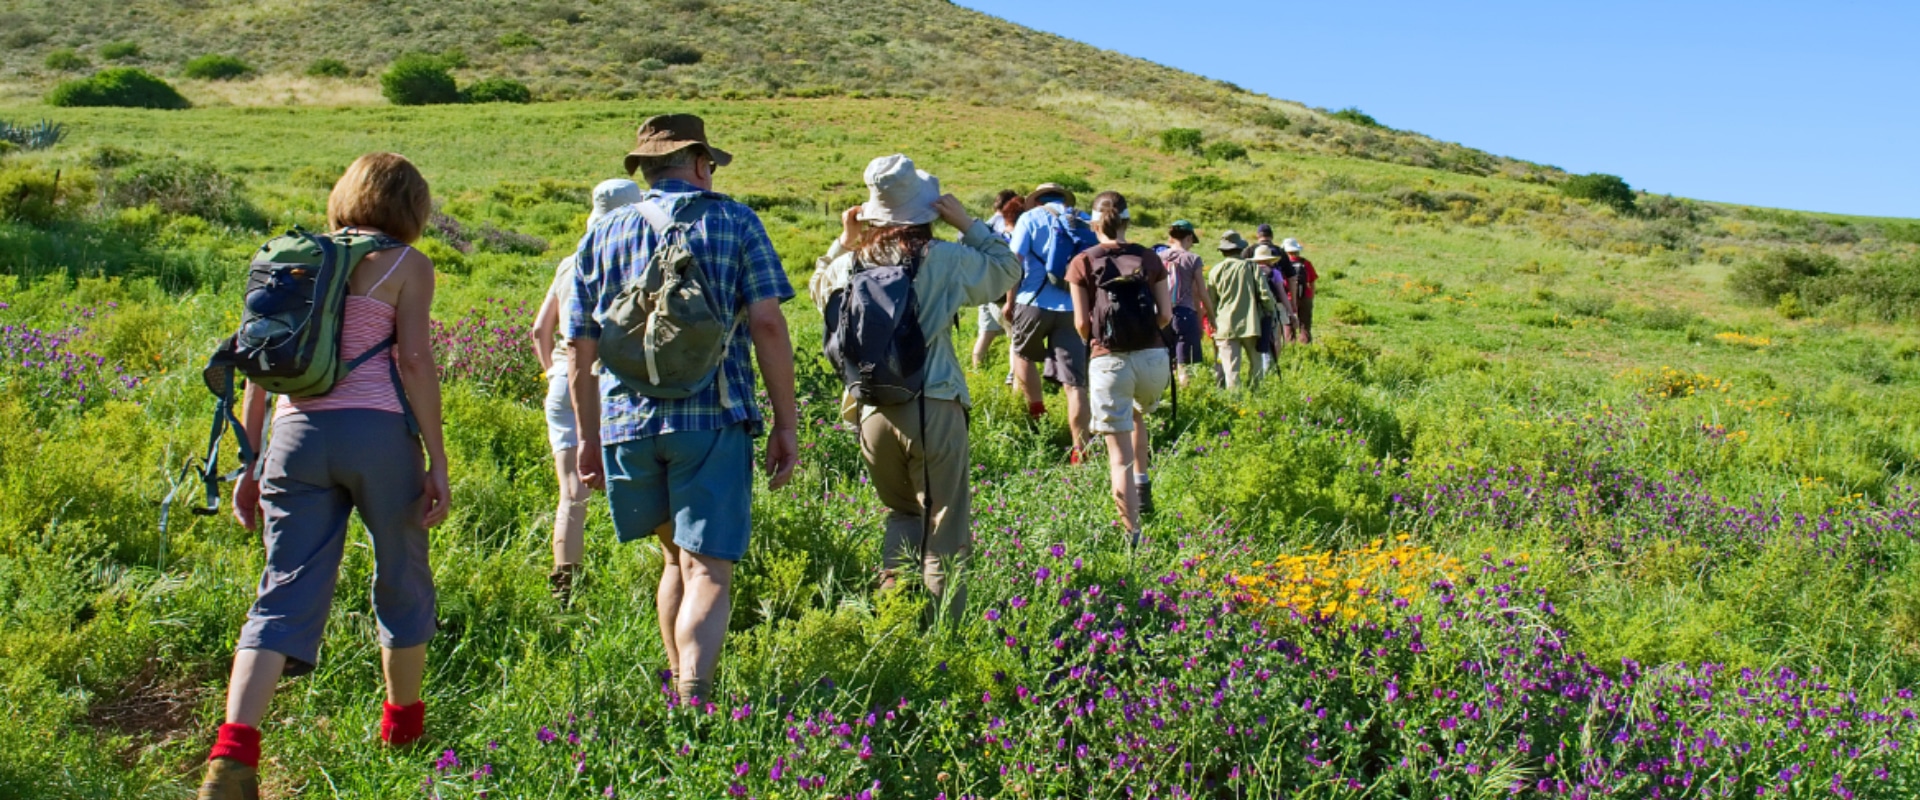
(289, 339)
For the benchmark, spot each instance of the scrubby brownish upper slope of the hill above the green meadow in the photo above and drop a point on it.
(692, 49)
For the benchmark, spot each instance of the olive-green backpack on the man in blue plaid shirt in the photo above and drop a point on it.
(667, 333)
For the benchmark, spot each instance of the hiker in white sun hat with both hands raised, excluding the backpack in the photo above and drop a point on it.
(921, 465)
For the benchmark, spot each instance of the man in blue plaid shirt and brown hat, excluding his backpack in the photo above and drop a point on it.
(683, 469)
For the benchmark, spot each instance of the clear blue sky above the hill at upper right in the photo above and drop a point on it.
(1787, 105)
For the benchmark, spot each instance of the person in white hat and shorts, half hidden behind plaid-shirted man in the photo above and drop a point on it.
(556, 354)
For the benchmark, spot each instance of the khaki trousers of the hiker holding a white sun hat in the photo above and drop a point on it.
(901, 463)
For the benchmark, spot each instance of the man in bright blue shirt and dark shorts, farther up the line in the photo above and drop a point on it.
(1042, 312)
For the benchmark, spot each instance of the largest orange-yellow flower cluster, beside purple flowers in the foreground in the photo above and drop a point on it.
(1345, 584)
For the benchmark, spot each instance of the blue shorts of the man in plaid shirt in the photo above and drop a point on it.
(698, 481)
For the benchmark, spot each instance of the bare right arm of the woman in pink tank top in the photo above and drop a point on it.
(420, 377)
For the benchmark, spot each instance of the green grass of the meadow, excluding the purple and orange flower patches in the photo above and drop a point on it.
(1510, 329)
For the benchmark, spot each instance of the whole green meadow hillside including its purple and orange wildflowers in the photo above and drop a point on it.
(1560, 490)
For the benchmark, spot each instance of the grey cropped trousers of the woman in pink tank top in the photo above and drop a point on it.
(322, 467)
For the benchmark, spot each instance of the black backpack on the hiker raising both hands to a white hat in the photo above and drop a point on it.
(875, 337)
